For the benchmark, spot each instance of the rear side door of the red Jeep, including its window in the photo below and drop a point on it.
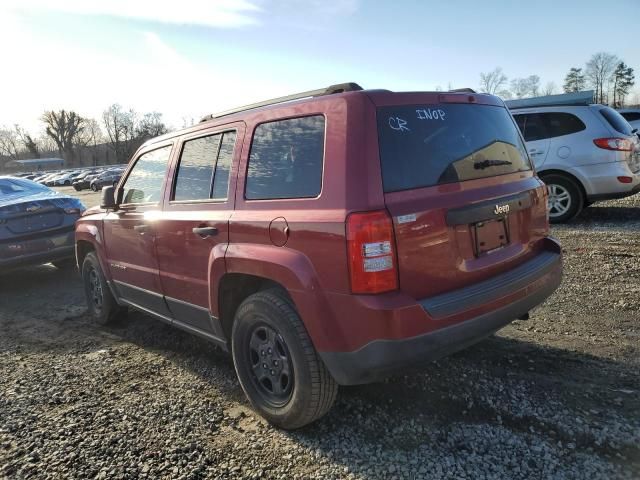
(193, 232)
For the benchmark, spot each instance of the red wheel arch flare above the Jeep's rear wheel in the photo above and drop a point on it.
(291, 269)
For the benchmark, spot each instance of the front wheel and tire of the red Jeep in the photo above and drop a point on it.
(103, 307)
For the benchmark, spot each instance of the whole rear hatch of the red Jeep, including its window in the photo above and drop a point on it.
(459, 185)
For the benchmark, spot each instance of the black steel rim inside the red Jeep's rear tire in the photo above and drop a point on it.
(270, 364)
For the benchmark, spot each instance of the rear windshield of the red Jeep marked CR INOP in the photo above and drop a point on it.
(426, 145)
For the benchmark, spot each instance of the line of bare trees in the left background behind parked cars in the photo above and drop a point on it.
(79, 140)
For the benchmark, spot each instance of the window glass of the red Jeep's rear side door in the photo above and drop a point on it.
(195, 171)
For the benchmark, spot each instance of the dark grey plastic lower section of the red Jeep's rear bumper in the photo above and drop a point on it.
(380, 358)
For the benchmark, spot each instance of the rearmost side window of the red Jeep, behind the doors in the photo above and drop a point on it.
(286, 159)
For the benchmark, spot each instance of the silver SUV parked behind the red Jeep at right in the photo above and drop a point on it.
(584, 153)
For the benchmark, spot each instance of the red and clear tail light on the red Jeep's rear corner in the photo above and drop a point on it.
(371, 248)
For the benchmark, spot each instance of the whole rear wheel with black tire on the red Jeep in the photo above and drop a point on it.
(267, 331)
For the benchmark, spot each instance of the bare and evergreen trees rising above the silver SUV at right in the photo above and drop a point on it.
(609, 76)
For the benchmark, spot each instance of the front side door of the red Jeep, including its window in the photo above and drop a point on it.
(129, 234)
